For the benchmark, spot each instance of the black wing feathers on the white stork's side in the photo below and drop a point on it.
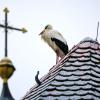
(61, 45)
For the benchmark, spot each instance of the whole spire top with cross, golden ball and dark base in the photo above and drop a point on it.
(6, 67)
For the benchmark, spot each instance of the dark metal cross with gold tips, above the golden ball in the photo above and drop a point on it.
(6, 27)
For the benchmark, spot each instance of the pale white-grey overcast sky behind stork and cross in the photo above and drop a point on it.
(75, 19)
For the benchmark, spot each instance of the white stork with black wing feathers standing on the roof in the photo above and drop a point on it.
(55, 40)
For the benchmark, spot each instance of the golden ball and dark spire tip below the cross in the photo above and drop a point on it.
(6, 71)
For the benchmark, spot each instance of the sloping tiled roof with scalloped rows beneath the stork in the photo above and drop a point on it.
(77, 76)
